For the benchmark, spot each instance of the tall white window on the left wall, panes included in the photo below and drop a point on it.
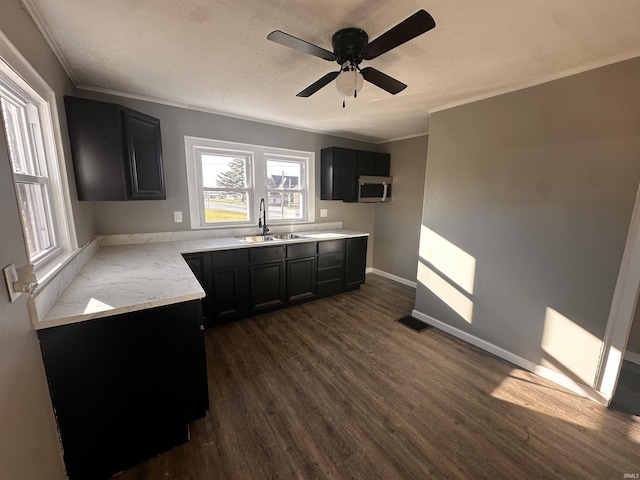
(27, 128)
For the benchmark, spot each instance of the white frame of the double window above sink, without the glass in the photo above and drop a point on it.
(257, 179)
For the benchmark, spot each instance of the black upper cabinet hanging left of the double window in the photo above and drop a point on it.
(117, 152)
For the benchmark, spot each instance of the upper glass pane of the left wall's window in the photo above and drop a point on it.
(16, 129)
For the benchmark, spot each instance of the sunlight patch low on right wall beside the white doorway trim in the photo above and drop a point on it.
(573, 350)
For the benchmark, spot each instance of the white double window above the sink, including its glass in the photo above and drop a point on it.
(228, 180)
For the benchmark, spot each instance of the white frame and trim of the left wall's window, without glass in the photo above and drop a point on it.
(19, 78)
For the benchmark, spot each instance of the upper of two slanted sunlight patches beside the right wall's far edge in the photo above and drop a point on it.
(451, 260)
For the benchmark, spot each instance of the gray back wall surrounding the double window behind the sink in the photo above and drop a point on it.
(157, 216)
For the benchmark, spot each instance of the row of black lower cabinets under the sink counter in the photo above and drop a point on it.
(245, 281)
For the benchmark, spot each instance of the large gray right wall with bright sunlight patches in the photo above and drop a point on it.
(536, 190)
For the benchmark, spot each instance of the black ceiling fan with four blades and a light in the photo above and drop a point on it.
(350, 47)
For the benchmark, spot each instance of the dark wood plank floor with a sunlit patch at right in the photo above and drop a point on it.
(336, 389)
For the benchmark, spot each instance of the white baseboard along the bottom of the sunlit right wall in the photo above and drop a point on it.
(544, 372)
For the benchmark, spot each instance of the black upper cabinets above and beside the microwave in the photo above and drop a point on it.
(341, 167)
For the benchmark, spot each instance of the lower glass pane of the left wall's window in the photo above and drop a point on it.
(37, 228)
